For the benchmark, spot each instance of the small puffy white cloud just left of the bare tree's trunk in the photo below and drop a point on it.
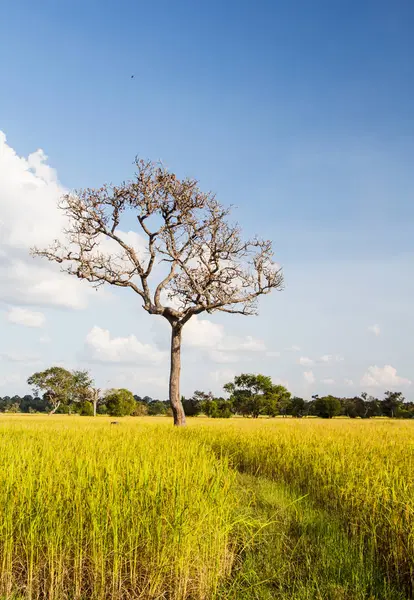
(101, 347)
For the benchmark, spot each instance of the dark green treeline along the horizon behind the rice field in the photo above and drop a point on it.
(57, 390)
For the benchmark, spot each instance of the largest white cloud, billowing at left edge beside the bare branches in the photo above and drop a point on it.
(29, 191)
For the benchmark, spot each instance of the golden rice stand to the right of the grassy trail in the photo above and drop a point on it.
(361, 472)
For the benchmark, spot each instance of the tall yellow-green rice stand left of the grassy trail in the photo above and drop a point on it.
(92, 511)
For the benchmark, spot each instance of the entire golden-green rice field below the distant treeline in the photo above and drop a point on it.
(268, 508)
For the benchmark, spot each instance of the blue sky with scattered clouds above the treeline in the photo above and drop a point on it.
(299, 113)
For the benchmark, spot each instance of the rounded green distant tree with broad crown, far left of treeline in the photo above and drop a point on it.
(57, 385)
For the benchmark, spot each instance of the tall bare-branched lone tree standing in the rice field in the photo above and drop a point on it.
(187, 252)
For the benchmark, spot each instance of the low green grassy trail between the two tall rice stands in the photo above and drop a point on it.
(298, 552)
